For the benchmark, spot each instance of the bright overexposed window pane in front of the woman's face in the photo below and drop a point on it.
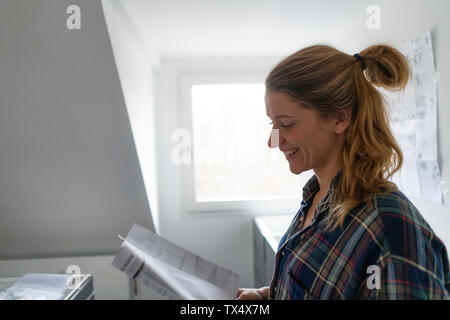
(231, 158)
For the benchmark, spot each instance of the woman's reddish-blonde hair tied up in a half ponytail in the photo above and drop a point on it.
(334, 83)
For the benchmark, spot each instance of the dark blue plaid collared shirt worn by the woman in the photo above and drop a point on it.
(392, 237)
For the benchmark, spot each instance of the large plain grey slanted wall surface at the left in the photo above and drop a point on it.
(69, 174)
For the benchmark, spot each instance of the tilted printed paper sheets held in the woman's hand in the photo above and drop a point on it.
(172, 271)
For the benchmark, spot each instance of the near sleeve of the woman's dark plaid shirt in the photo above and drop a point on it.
(414, 262)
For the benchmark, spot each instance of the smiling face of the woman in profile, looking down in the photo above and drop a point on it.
(313, 139)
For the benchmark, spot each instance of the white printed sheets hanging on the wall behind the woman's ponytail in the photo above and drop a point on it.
(413, 115)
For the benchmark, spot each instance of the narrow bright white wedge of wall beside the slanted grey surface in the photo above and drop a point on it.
(135, 62)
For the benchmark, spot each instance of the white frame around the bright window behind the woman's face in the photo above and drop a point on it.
(276, 205)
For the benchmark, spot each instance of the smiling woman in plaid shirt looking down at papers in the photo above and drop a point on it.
(356, 236)
